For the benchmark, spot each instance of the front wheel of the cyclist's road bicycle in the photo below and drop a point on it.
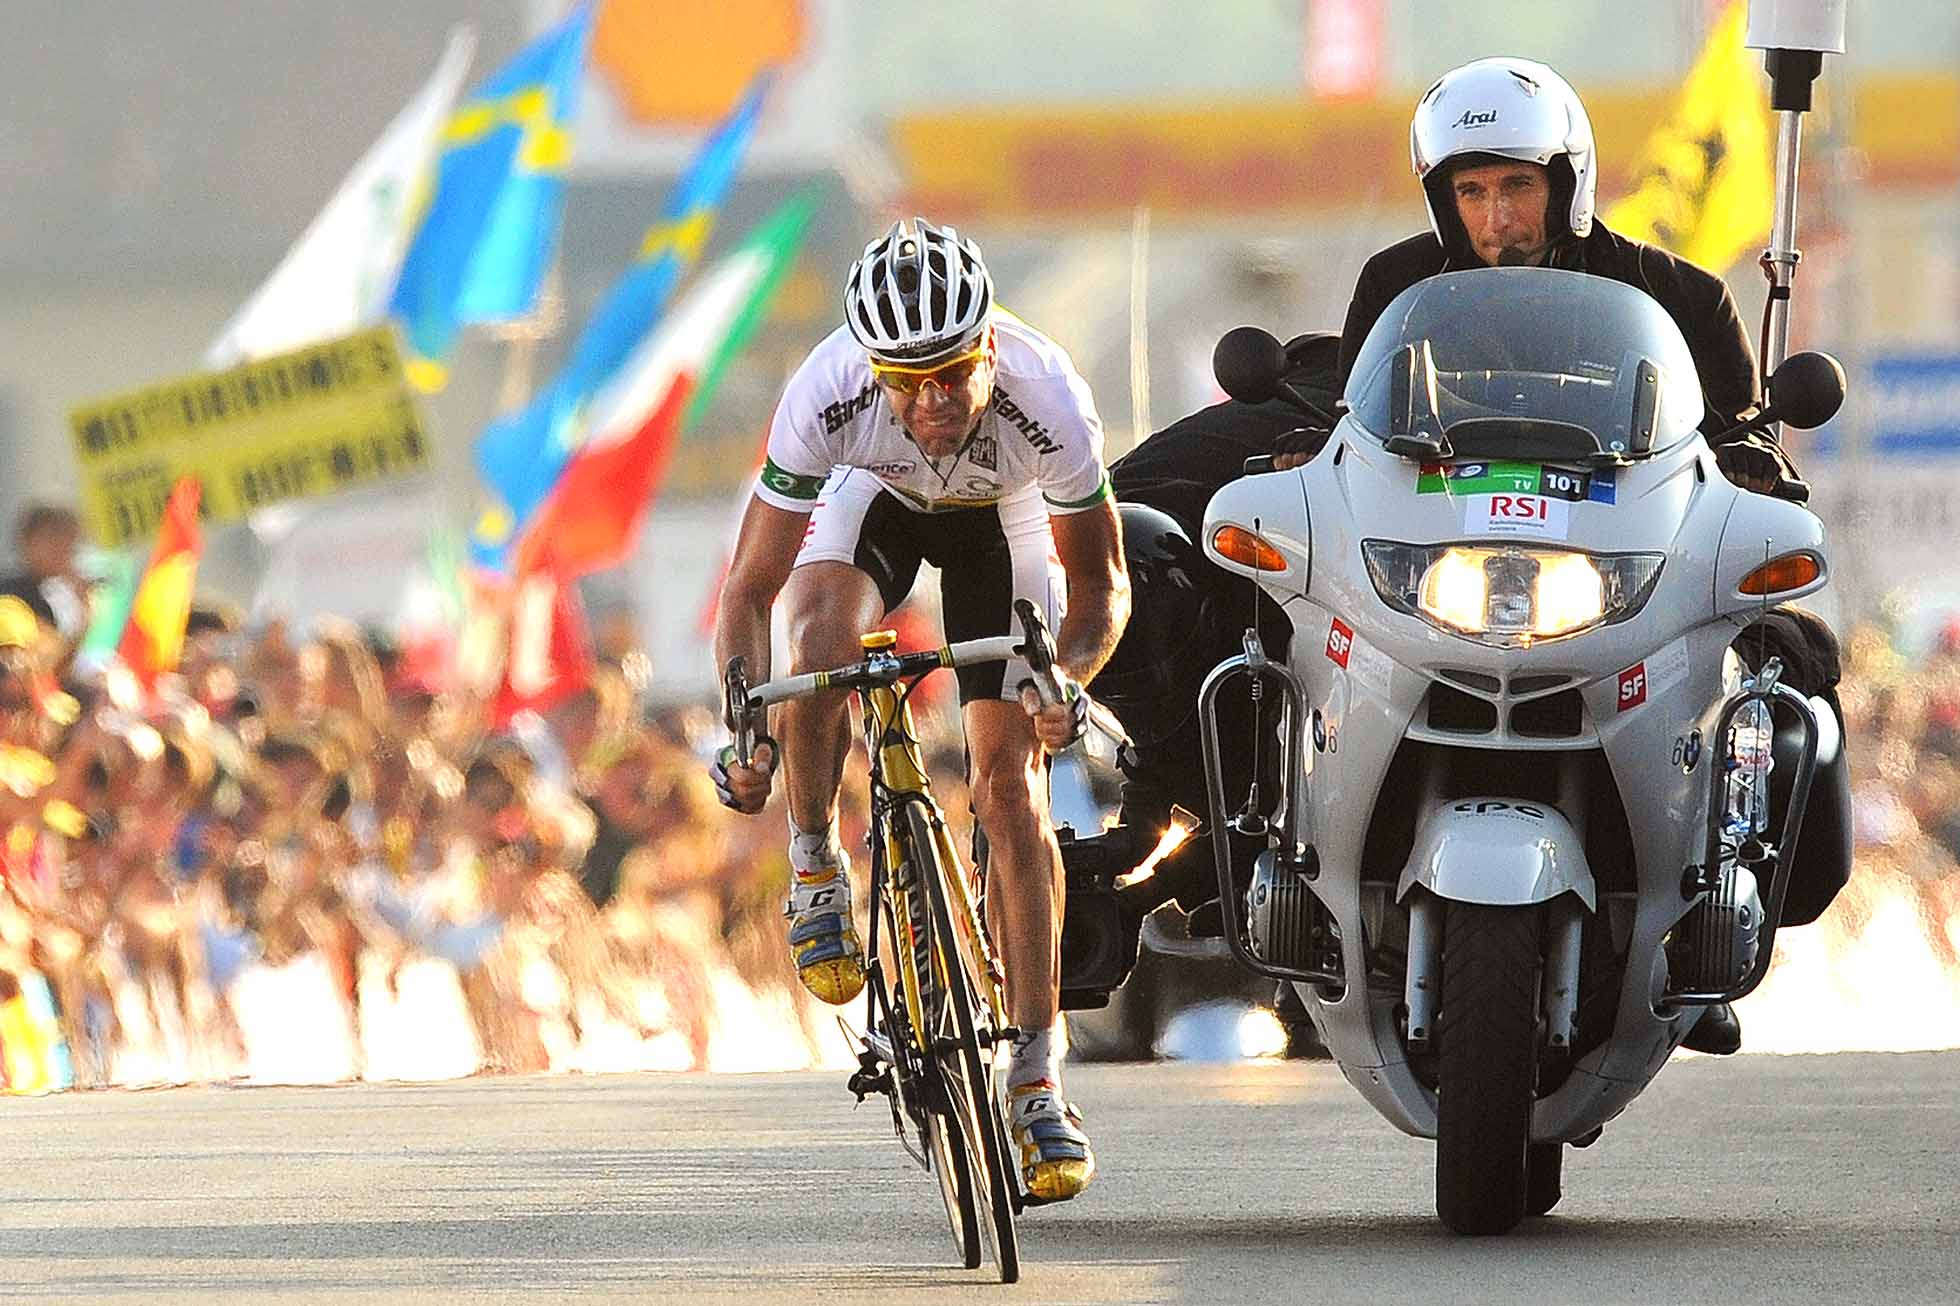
(965, 1066)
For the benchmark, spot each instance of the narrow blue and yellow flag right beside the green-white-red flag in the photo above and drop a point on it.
(522, 454)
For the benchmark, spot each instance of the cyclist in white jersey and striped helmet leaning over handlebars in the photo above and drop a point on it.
(934, 427)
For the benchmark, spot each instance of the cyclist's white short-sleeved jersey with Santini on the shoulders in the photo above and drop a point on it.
(1038, 436)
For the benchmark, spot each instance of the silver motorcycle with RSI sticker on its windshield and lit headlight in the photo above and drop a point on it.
(1520, 827)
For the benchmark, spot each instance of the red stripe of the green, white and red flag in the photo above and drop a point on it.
(603, 495)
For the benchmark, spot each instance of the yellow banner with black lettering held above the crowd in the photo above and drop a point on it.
(317, 421)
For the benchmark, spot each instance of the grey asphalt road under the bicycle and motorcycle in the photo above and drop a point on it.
(1757, 1180)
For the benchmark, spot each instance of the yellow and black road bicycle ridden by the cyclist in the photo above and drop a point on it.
(934, 991)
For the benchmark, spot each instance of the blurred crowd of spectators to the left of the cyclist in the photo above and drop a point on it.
(334, 795)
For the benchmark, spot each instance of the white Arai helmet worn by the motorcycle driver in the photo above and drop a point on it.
(1504, 109)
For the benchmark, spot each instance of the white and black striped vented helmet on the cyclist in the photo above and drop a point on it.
(918, 293)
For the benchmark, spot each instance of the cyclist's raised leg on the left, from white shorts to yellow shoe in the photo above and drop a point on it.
(842, 585)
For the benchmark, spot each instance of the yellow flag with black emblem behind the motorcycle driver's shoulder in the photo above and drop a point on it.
(1706, 187)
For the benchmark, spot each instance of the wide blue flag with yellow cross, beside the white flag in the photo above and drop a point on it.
(493, 219)
